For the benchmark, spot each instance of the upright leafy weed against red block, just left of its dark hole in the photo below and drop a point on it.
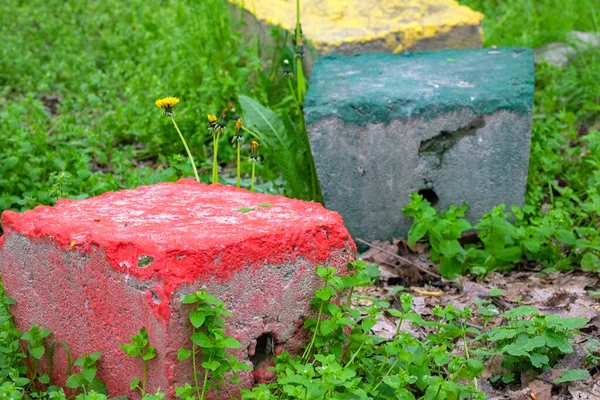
(210, 341)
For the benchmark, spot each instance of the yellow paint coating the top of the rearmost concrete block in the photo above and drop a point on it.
(331, 23)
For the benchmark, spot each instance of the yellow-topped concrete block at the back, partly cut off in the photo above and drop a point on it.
(366, 26)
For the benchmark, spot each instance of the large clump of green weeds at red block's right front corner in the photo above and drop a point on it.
(345, 360)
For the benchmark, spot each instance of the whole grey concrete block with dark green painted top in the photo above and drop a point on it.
(453, 123)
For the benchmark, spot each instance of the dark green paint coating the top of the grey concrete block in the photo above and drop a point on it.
(377, 88)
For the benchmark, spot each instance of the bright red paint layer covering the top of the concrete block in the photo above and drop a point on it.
(192, 231)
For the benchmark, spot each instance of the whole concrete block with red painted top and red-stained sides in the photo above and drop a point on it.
(95, 271)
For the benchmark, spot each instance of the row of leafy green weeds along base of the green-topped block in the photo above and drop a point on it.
(502, 244)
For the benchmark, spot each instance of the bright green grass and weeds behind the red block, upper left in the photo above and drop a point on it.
(78, 81)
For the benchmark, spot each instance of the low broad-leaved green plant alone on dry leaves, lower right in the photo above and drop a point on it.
(530, 341)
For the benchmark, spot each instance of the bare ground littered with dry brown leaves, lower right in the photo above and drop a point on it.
(568, 294)
